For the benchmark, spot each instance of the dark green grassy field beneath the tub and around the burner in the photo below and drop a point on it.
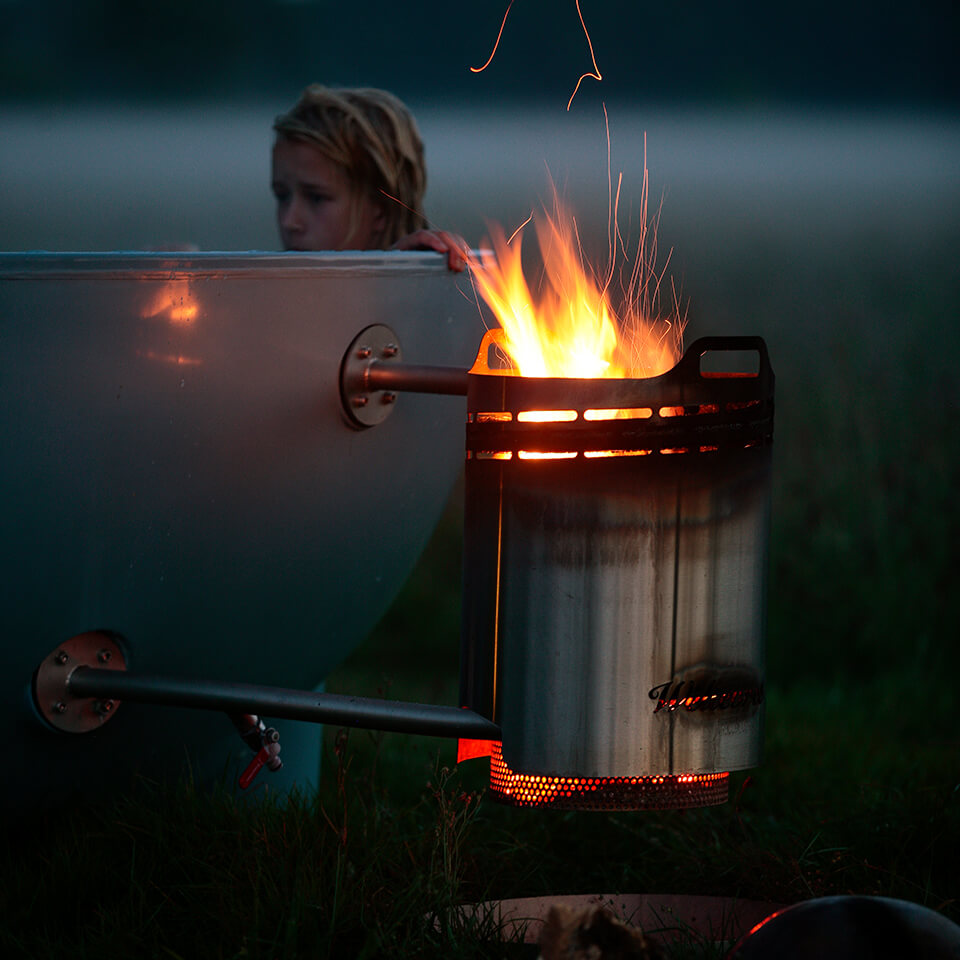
(860, 788)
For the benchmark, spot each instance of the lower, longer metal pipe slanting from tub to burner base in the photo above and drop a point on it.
(390, 715)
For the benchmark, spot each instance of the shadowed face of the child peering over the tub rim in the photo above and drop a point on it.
(315, 203)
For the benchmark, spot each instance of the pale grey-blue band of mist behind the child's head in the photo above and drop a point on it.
(101, 178)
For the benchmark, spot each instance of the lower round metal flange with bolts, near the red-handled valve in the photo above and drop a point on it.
(51, 683)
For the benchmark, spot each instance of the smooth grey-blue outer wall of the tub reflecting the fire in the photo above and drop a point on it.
(177, 468)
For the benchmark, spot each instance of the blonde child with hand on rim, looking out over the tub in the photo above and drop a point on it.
(348, 174)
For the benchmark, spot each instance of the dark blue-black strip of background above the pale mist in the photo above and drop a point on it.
(754, 53)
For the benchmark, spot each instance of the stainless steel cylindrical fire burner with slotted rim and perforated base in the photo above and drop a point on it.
(615, 573)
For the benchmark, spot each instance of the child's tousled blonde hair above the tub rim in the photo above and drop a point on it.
(373, 138)
